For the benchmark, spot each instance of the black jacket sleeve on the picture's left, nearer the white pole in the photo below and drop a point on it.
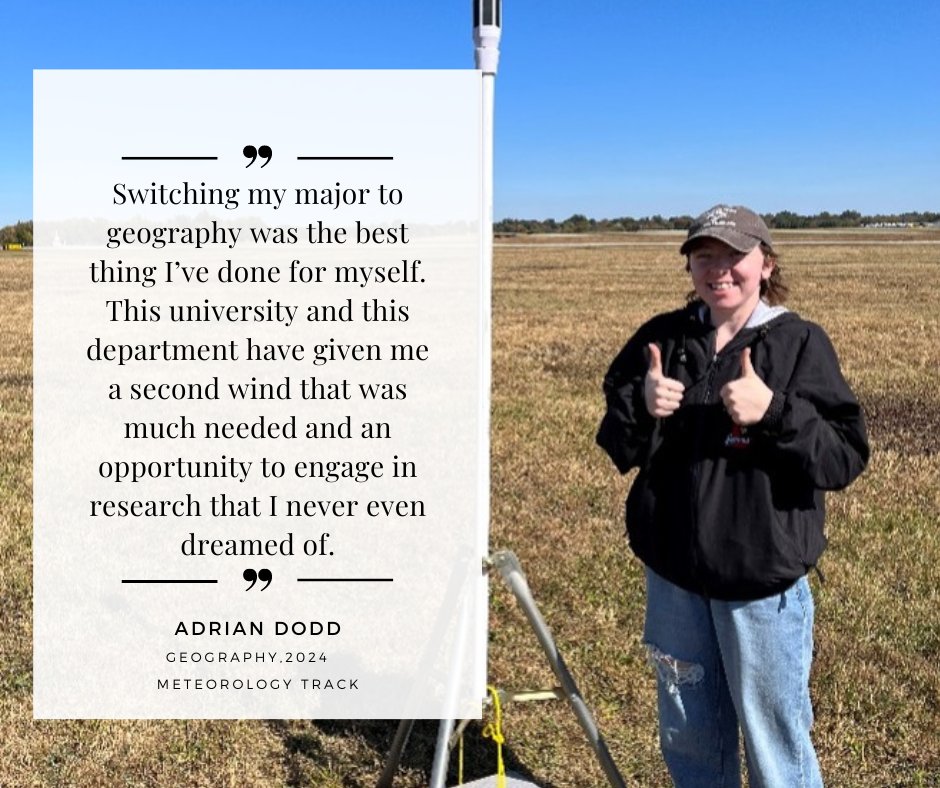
(626, 431)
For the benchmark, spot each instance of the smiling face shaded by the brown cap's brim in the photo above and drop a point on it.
(727, 280)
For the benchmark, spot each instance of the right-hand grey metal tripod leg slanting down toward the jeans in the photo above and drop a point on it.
(510, 570)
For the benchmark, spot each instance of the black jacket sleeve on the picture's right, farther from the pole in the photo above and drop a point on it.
(815, 424)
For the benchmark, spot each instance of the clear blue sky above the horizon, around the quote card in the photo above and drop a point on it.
(617, 108)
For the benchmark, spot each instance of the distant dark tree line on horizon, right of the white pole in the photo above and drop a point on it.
(783, 220)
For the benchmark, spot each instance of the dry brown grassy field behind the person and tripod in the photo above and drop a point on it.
(562, 308)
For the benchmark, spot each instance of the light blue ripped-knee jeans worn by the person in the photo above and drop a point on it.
(724, 664)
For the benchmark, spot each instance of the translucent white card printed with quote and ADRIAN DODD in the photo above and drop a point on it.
(260, 419)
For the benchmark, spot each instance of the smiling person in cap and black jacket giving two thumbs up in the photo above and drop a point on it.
(738, 418)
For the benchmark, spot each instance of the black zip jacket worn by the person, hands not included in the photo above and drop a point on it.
(728, 512)
